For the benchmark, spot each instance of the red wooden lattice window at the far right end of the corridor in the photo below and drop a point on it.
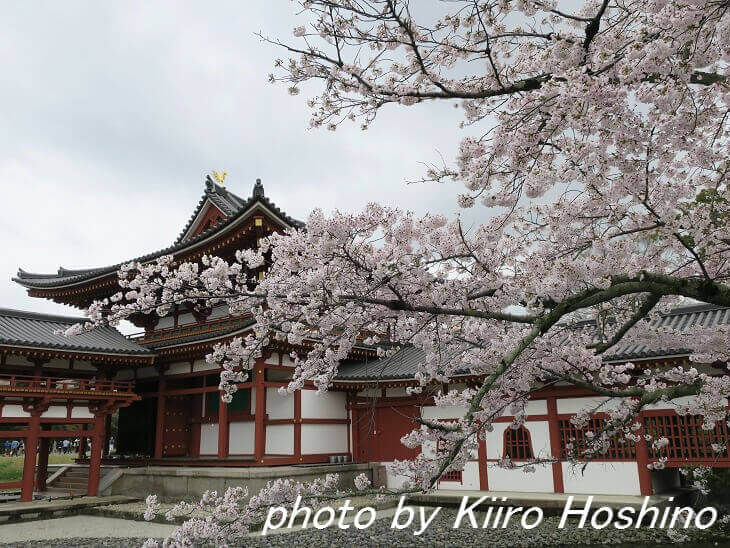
(687, 438)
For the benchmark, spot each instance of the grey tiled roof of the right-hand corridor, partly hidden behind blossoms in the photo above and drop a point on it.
(404, 364)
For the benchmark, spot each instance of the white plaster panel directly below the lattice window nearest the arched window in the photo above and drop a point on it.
(605, 478)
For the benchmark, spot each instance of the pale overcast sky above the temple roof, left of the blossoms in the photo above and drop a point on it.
(112, 113)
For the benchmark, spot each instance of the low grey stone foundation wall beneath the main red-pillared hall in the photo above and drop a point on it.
(177, 483)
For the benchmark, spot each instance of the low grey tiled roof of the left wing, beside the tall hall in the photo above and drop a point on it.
(30, 329)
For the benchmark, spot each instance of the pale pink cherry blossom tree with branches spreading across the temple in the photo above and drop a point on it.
(596, 139)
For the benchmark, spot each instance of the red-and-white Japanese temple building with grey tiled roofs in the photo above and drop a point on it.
(169, 411)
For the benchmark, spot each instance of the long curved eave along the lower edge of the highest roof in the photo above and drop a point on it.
(41, 284)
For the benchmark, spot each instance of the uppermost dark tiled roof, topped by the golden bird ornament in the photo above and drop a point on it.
(66, 276)
